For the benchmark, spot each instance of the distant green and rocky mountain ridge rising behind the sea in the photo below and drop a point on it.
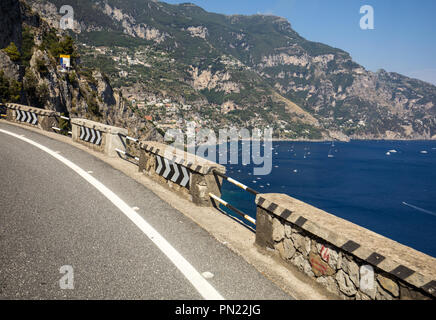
(251, 70)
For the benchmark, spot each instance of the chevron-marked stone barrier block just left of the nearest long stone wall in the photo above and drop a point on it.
(188, 175)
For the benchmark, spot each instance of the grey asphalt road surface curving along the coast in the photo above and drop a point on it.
(51, 217)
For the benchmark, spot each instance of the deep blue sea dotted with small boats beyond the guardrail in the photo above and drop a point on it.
(388, 187)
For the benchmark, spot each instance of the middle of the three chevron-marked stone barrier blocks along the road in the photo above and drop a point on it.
(99, 137)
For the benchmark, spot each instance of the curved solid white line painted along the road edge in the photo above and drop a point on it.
(206, 290)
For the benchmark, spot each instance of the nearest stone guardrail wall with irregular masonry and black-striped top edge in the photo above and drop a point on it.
(336, 253)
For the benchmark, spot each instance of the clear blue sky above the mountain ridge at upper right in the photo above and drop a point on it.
(403, 39)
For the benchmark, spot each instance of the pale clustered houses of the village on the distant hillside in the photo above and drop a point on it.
(163, 111)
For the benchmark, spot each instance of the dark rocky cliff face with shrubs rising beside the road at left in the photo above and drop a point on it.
(80, 92)
